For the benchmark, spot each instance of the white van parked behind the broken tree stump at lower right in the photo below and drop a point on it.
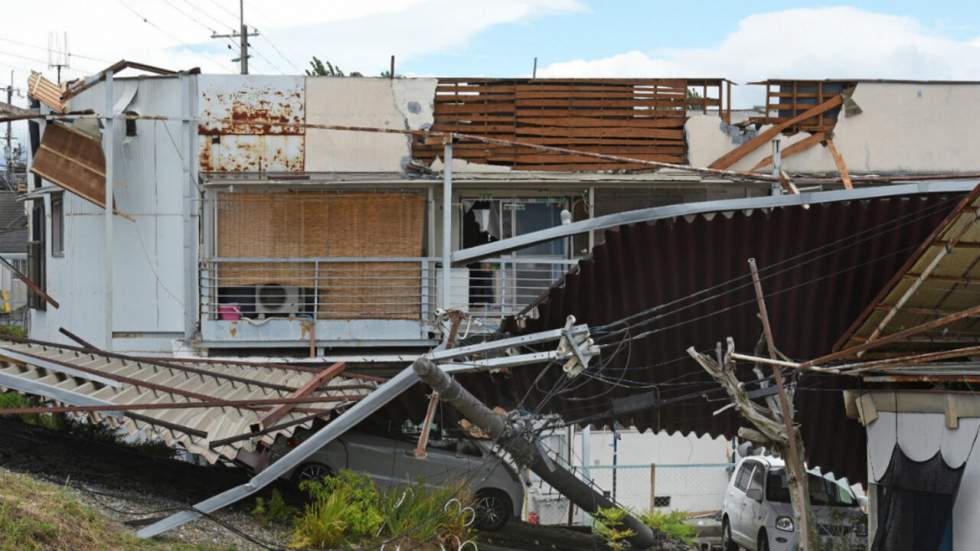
(757, 514)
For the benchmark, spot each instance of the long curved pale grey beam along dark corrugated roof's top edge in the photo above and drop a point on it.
(471, 254)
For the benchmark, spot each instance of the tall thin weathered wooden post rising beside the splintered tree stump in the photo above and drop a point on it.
(793, 452)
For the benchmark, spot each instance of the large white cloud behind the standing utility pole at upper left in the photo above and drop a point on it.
(359, 35)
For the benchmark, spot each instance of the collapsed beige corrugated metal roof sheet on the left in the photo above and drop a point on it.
(81, 377)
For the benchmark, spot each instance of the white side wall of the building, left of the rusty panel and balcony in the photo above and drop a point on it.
(148, 254)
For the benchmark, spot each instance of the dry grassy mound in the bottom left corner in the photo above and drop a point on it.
(38, 516)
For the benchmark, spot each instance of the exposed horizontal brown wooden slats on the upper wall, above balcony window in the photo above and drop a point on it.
(638, 118)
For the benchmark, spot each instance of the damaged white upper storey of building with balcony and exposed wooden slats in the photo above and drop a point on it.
(248, 221)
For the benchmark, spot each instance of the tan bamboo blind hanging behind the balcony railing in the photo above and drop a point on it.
(315, 225)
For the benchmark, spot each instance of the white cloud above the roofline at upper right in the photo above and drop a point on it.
(834, 42)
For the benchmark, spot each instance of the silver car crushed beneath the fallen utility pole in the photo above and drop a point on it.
(390, 461)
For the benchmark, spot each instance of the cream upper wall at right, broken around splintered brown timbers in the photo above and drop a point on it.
(925, 128)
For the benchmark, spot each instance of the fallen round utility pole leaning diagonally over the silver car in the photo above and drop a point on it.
(525, 451)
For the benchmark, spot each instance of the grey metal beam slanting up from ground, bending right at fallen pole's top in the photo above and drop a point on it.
(385, 393)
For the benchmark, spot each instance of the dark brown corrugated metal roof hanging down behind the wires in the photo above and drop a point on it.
(834, 257)
